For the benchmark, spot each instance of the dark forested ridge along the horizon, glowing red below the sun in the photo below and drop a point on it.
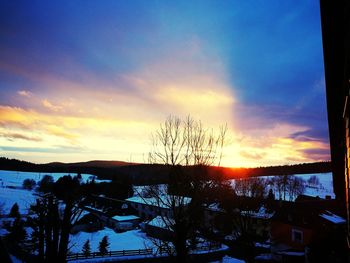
(156, 173)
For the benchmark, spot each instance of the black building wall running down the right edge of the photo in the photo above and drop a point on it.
(335, 19)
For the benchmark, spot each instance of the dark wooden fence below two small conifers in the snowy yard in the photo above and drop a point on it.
(118, 253)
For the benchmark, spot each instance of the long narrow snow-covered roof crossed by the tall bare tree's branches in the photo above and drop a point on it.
(164, 201)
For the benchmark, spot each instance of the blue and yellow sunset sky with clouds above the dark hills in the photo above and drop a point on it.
(87, 80)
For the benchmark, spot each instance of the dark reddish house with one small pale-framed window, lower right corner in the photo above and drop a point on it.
(310, 227)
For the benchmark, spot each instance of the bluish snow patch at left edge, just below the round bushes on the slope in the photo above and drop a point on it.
(24, 199)
